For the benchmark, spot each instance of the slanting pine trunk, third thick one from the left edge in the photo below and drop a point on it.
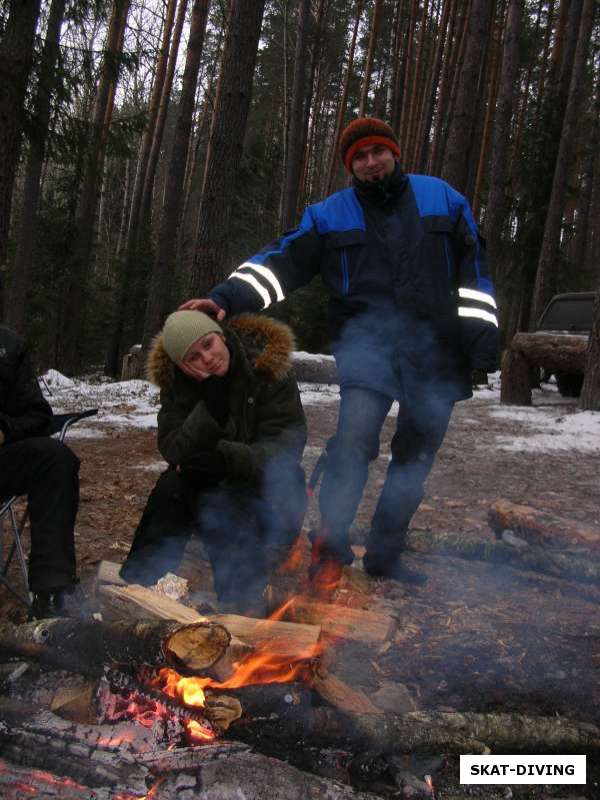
(85, 215)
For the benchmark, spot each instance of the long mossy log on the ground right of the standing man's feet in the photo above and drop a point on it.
(557, 564)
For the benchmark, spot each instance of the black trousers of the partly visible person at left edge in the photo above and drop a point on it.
(48, 473)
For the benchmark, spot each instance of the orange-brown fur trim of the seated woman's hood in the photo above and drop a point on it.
(266, 343)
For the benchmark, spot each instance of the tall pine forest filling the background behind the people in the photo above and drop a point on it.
(150, 146)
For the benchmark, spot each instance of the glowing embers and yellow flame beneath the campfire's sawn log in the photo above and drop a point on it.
(160, 701)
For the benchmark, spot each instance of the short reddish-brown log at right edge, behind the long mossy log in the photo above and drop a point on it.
(541, 527)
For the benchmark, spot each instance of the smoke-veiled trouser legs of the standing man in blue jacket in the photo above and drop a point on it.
(420, 428)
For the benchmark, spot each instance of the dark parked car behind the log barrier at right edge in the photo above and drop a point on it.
(568, 315)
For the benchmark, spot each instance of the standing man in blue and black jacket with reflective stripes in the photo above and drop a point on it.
(411, 313)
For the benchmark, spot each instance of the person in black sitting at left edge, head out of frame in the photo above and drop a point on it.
(43, 469)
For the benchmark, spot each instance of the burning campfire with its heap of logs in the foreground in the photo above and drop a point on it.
(158, 699)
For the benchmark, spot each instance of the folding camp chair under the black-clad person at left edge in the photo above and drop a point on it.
(10, 535)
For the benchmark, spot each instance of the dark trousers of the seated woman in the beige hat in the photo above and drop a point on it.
(237, 526)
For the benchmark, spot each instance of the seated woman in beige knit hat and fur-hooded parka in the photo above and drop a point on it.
(232, 429)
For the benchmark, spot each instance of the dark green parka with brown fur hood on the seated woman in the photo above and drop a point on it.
(265, 424)
